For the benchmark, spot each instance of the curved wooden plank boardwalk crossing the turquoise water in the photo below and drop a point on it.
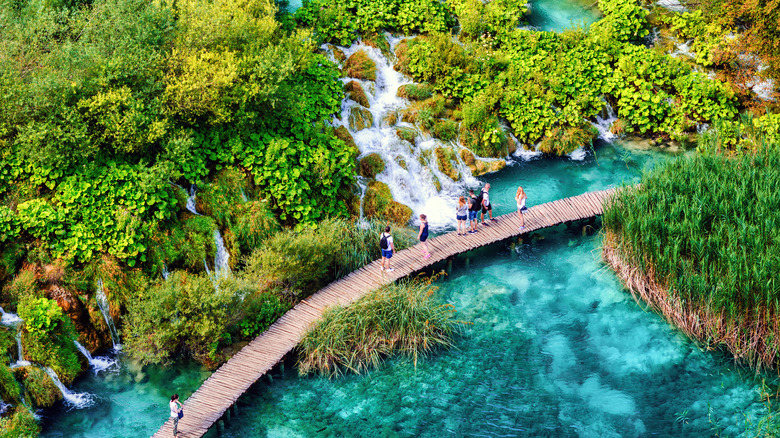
(220, 391)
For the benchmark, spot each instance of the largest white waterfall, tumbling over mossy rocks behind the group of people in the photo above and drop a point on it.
(411, 171)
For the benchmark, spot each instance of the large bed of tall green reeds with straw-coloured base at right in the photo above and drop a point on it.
(699, 241)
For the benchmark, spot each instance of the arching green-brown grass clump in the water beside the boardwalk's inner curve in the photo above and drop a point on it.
(403, 319)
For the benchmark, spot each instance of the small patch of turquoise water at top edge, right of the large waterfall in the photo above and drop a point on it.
(557, 15)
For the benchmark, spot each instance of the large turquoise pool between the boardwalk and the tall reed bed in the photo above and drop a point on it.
(557, 348)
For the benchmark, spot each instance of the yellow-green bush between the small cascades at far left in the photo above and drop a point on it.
(48, 337)
